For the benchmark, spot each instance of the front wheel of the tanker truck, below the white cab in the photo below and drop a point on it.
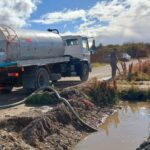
(84, 72)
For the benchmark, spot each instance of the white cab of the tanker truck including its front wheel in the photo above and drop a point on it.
(77, 47)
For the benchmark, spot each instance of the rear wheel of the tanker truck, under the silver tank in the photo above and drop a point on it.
(42, 78)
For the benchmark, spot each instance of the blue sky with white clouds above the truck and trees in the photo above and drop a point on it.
(109, 21)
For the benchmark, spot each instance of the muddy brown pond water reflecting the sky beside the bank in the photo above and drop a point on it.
(125, 130)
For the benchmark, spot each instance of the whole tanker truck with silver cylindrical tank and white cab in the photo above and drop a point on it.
(33, 58)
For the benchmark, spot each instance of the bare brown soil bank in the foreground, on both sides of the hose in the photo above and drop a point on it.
(55, 129)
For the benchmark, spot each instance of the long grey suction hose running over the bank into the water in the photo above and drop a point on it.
(60, 98)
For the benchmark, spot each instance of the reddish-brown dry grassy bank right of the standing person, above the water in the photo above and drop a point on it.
(136, 80)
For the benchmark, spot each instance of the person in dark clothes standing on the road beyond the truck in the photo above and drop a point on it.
(113, 63)
